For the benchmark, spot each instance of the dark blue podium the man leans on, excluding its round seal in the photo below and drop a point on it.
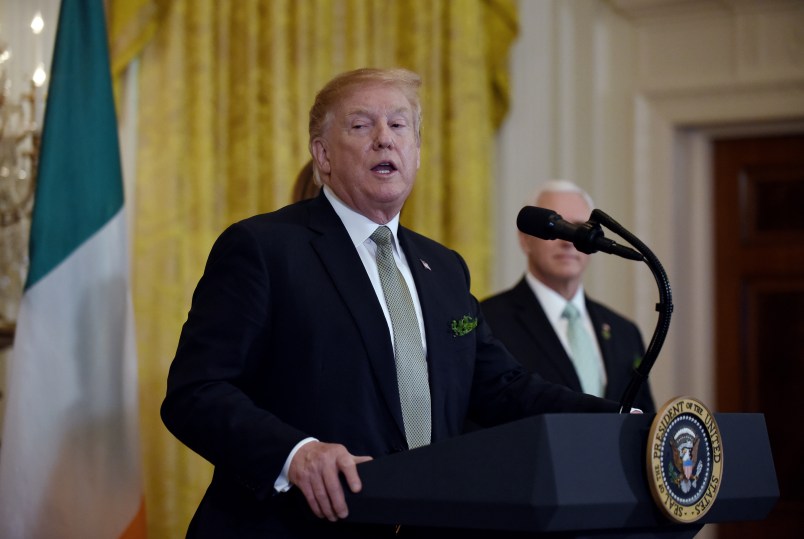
(562, 475)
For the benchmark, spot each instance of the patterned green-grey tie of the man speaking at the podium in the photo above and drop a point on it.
(411, 364)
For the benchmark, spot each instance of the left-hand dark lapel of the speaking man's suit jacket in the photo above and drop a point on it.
(339, 257)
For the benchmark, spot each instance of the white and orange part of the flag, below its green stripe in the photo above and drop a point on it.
(70, 461)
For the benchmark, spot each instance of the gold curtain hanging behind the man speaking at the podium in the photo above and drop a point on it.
(225, 89)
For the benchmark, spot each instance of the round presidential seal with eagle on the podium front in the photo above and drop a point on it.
(685, 459)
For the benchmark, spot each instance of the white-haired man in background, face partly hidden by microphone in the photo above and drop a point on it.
(552, 327)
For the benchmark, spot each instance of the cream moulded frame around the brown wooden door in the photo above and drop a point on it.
(673, 211)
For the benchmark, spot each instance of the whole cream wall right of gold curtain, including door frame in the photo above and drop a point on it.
(624, 96)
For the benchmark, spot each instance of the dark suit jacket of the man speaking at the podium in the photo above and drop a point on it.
(286, 339)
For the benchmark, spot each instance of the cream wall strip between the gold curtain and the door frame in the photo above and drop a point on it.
(571, 117)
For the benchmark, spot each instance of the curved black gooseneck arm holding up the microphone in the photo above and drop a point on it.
(664, 307)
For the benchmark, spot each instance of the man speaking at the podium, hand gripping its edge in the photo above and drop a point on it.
(325, 334)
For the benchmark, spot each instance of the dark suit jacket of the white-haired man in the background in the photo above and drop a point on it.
(518, 320)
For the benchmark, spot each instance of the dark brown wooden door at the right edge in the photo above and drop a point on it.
(759, 291)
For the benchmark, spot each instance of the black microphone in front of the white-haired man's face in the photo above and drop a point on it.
(586, 237)
